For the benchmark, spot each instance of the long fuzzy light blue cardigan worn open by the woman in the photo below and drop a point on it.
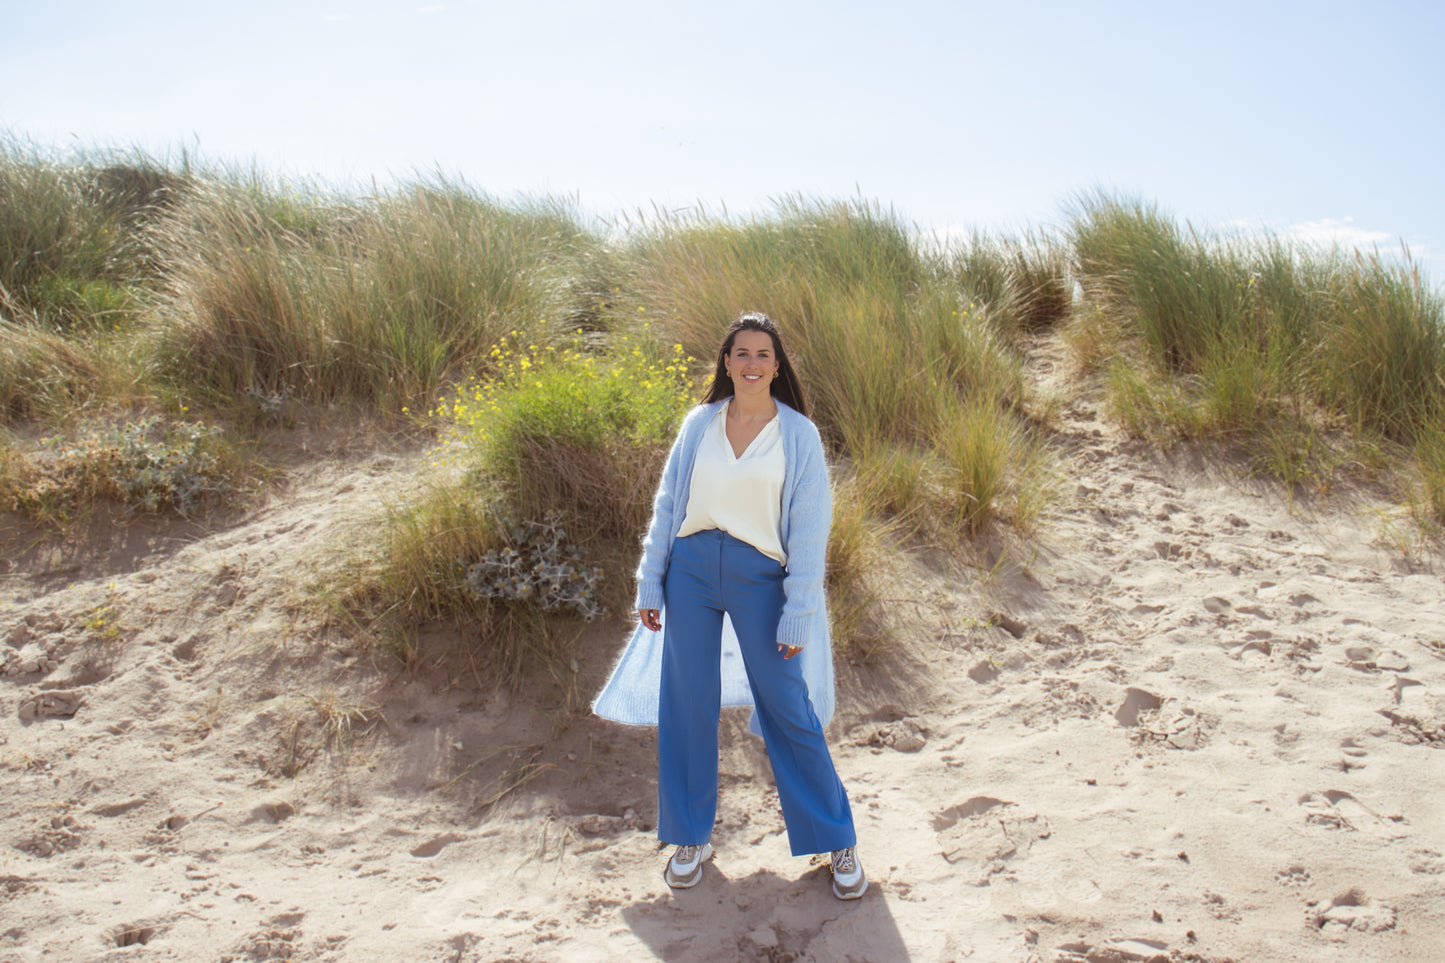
(632, 692)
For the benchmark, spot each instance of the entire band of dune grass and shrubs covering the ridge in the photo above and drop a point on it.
(554, 361)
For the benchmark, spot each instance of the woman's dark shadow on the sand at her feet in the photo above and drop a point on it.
(767, 917)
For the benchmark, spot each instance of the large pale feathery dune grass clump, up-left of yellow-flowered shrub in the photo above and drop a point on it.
(381, 301)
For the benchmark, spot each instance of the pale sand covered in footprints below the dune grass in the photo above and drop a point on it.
(1190, 722)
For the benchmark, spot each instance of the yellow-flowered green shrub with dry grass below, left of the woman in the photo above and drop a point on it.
(557, 446)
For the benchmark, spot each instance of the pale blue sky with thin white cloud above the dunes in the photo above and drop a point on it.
(1317, 119)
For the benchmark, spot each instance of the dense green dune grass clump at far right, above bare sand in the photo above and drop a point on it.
(1293, 355)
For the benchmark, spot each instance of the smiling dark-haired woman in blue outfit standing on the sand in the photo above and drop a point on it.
(738, 539)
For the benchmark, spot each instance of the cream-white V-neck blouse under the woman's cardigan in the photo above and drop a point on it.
(742, 497)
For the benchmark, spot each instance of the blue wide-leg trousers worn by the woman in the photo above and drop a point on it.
(710, 575)
